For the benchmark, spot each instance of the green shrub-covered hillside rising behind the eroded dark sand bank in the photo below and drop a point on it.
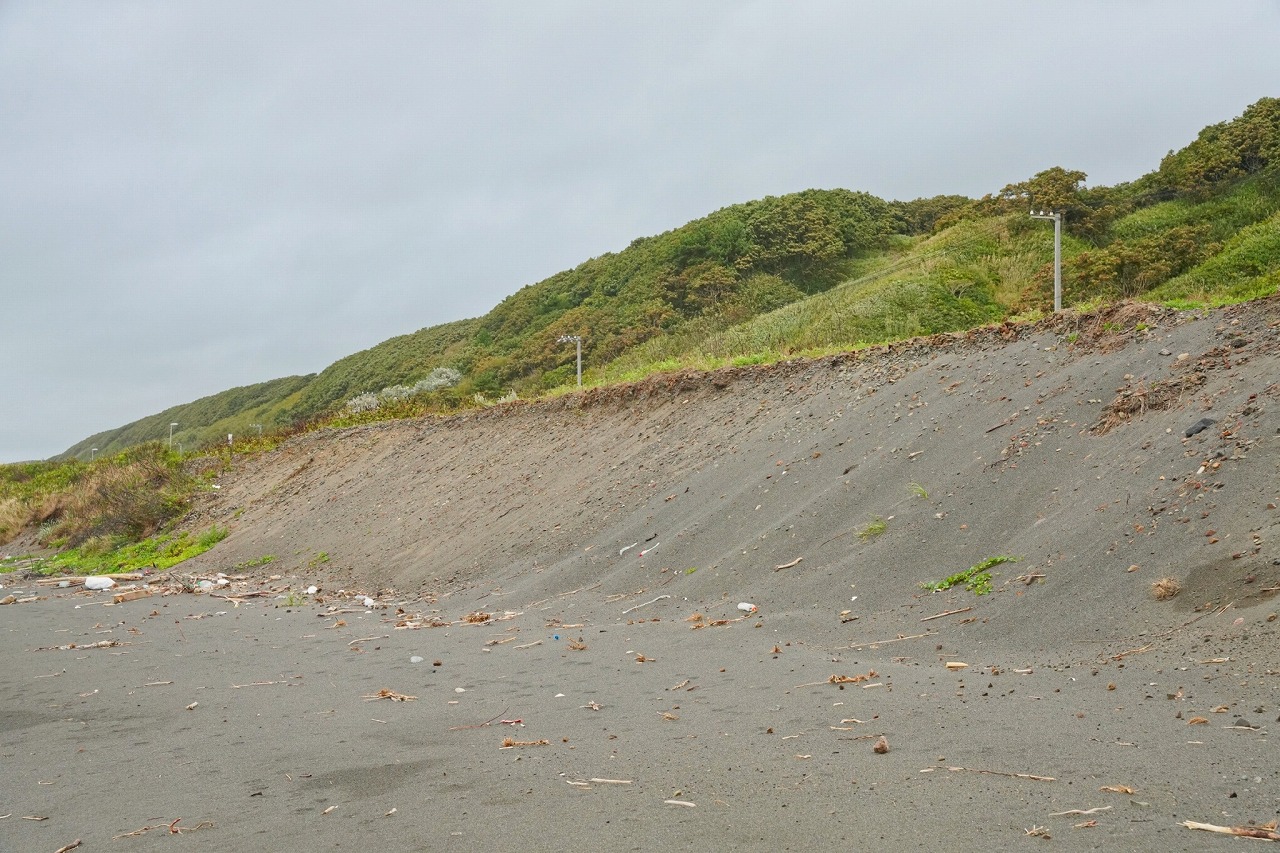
(815, 271)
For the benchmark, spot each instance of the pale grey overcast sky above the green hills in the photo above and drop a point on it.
(199, 195)
